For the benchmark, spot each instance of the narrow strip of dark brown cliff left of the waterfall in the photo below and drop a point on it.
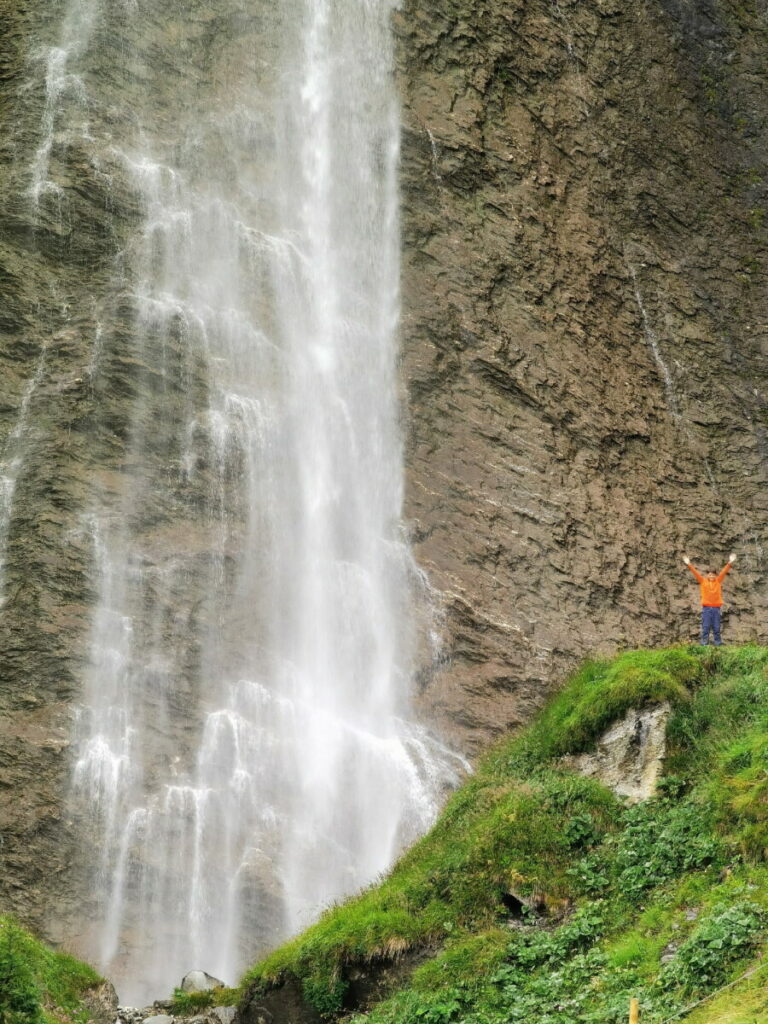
(50, 275)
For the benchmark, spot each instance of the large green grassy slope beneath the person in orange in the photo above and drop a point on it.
(666, 902)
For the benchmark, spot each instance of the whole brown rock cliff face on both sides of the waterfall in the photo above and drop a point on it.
(584, 351)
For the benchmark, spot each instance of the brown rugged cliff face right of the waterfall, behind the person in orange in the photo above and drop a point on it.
(585, 330)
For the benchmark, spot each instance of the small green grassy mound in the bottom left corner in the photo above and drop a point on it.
(38, 986)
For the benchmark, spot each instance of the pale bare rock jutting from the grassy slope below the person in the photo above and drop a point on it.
(629, 757)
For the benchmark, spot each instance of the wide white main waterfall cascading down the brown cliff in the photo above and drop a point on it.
(245, 749)
